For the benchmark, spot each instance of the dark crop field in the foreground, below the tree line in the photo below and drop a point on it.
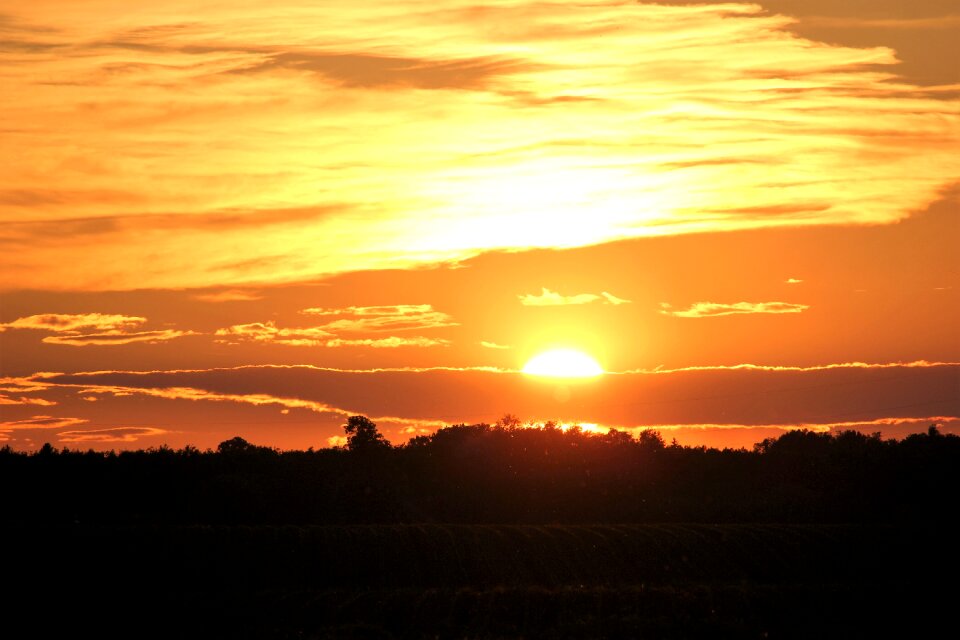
(485, 581)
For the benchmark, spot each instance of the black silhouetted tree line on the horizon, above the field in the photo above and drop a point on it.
(493, 473)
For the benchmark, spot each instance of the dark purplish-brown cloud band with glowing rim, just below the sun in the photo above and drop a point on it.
(743, 397)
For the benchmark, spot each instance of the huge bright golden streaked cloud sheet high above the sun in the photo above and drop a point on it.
(141, 137)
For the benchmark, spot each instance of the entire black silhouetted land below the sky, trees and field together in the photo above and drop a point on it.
(808, 536)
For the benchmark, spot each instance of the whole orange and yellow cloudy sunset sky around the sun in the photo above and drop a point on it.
(257, 219)
